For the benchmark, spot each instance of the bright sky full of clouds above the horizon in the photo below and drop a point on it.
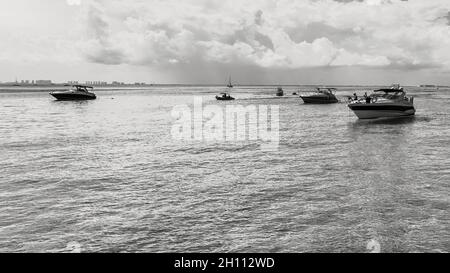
(204, 41)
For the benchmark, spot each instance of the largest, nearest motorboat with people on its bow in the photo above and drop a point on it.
(384, 103)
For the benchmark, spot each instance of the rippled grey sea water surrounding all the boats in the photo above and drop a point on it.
(108, 176)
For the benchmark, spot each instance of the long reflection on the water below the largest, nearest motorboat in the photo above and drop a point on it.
(380, 158)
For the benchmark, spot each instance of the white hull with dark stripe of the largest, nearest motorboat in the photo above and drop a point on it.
(373, 111)
